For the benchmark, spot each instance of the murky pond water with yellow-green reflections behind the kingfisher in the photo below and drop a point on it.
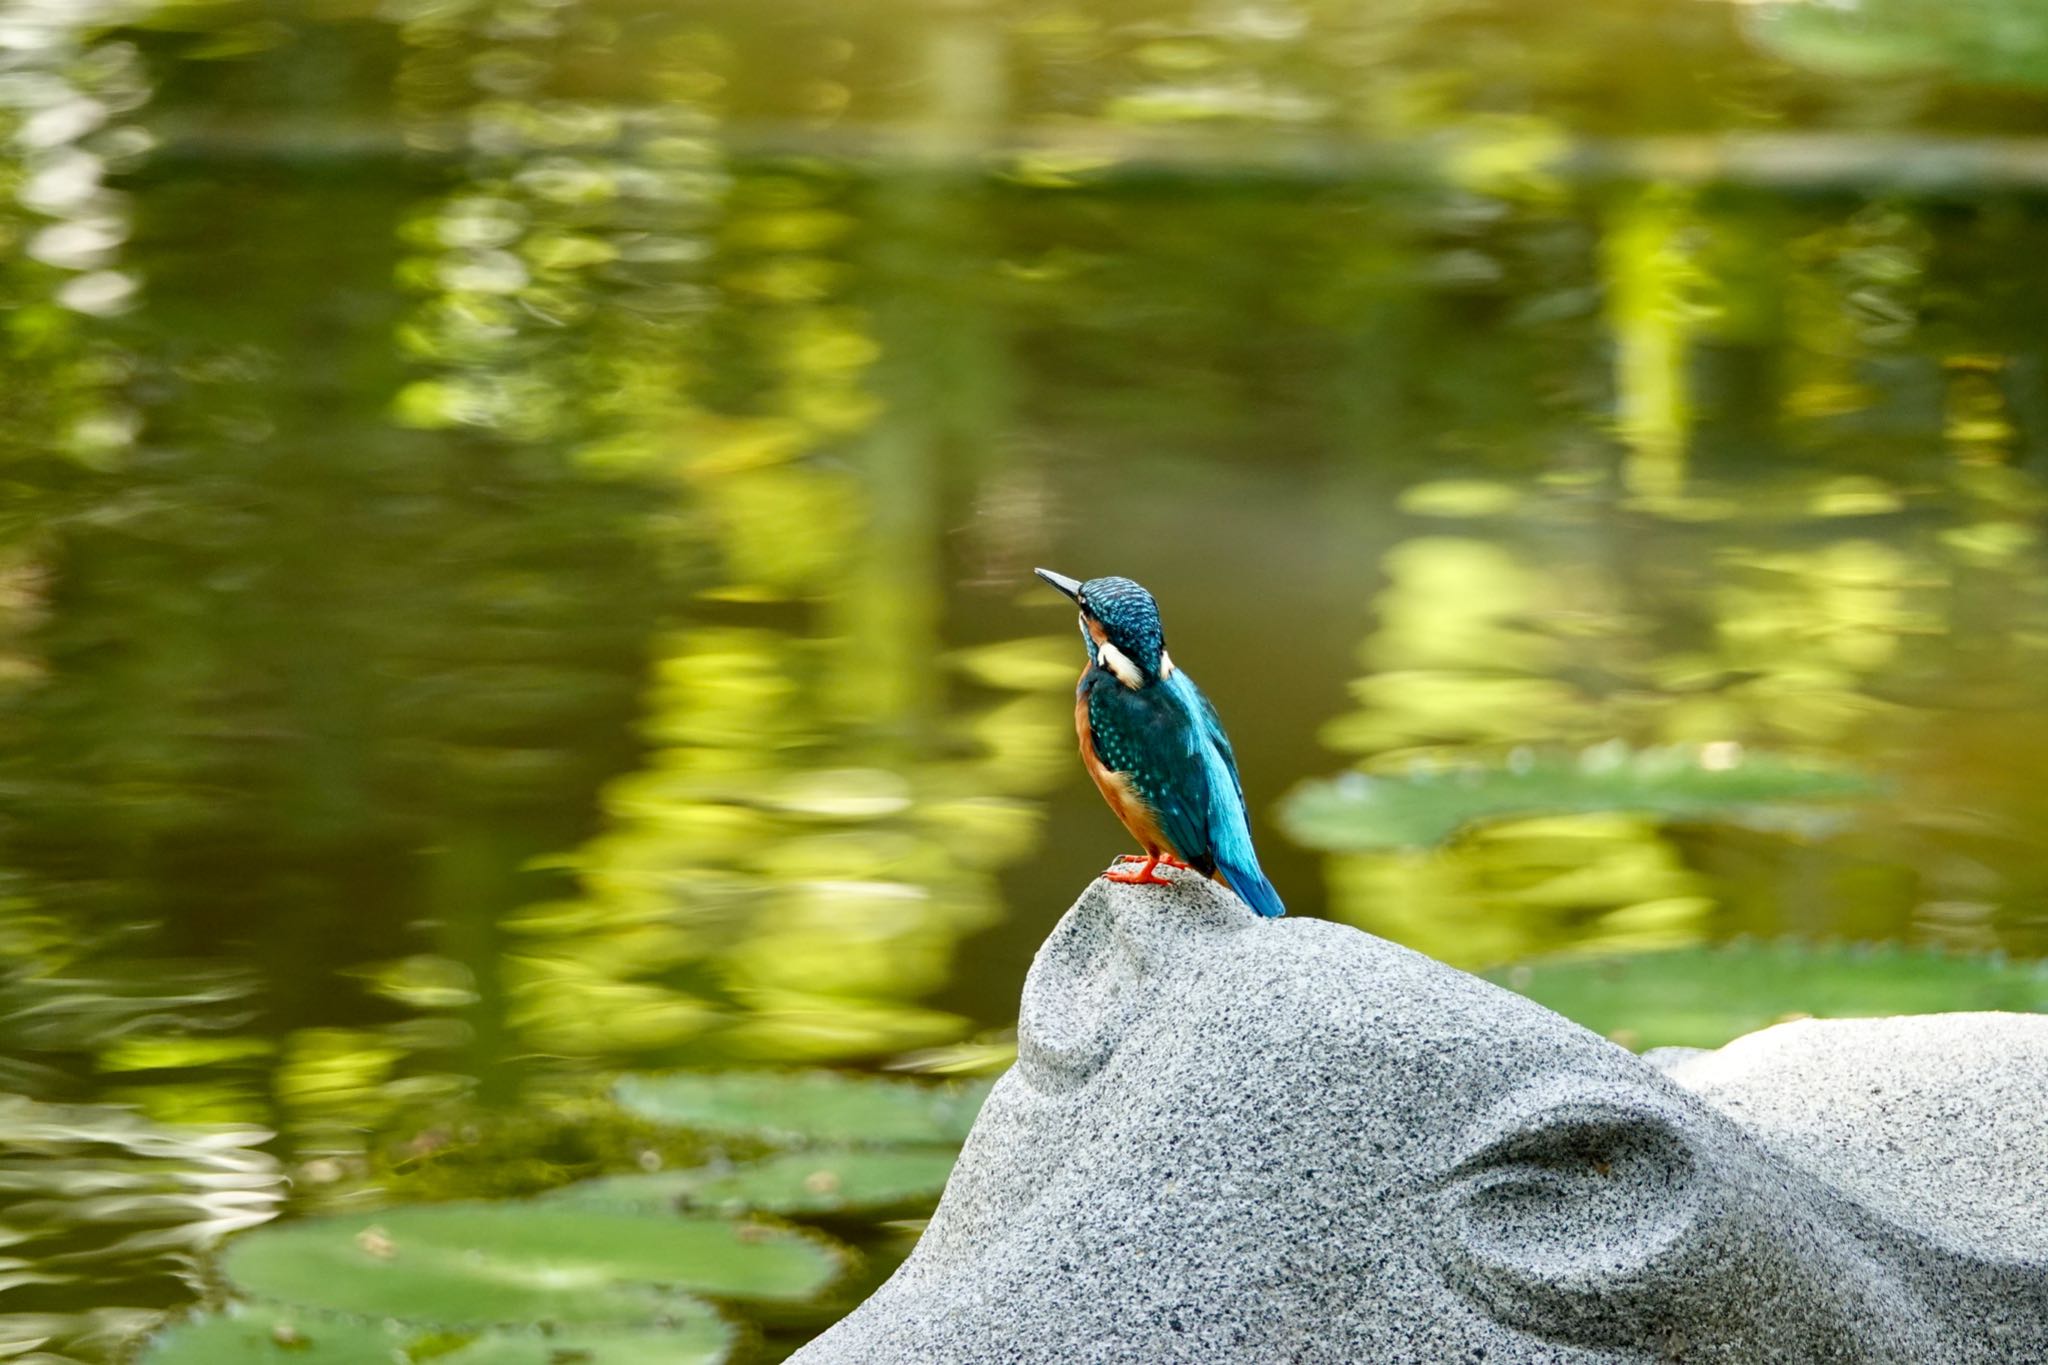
(519, 515)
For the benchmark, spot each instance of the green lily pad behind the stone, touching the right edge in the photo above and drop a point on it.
(1701, 998)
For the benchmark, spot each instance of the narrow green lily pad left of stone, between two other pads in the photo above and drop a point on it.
(812, 1182)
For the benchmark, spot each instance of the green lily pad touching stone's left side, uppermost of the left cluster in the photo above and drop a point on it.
(808, 1106)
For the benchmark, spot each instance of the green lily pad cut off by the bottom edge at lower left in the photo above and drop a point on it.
(259, 1335)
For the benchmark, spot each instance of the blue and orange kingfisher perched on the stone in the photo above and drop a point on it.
(1156, 748)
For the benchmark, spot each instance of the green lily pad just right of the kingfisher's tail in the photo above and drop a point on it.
(1428, 805)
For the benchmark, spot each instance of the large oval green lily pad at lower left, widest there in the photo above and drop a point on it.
(478, 1266)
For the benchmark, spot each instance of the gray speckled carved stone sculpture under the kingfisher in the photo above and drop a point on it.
(1287, 1141)
